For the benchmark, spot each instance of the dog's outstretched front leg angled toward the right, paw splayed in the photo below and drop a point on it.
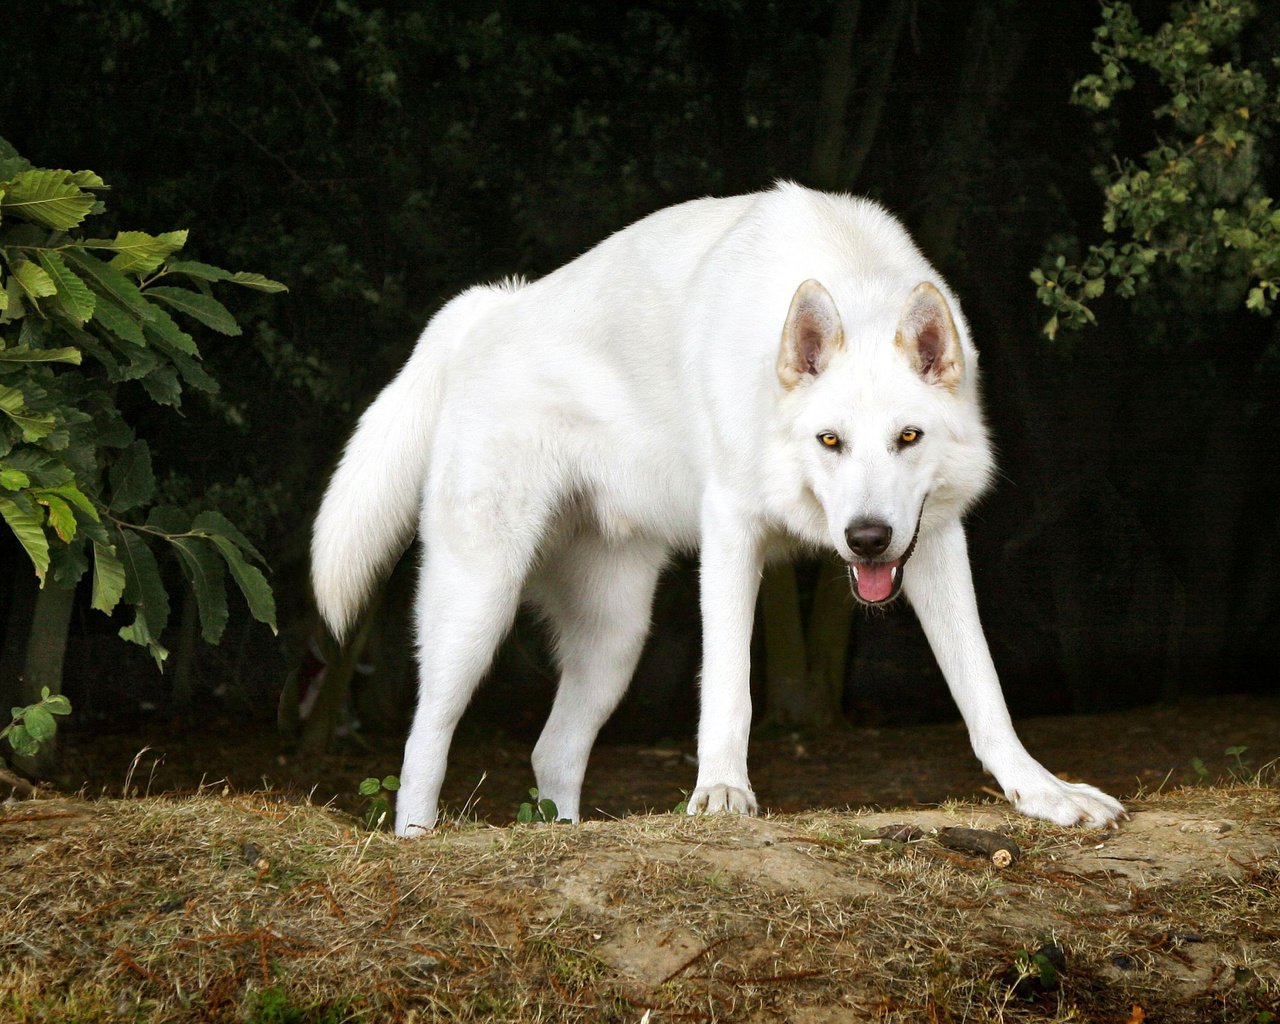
(940, 588)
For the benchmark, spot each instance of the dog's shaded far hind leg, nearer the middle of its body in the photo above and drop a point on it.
(598, 598)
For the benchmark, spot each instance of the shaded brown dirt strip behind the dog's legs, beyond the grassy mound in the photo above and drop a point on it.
(1126, 753)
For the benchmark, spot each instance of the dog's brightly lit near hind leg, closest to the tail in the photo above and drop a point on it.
(469, 592)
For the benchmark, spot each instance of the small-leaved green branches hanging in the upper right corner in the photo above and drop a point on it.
(1195, 203)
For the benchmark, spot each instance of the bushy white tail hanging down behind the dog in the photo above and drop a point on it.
(369, 514)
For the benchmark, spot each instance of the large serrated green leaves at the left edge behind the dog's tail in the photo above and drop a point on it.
(86, 323)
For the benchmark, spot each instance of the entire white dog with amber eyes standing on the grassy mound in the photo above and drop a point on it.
(742, 376)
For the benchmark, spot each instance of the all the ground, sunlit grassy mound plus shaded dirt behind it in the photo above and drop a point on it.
(234, 885)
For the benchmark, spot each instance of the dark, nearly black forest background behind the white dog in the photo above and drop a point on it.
(381, 157)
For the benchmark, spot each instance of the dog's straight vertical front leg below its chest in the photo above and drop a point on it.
(732, 564)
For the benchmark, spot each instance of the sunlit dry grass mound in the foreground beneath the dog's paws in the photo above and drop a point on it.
(252, 909)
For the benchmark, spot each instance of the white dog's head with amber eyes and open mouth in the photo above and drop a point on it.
(884, 409)
